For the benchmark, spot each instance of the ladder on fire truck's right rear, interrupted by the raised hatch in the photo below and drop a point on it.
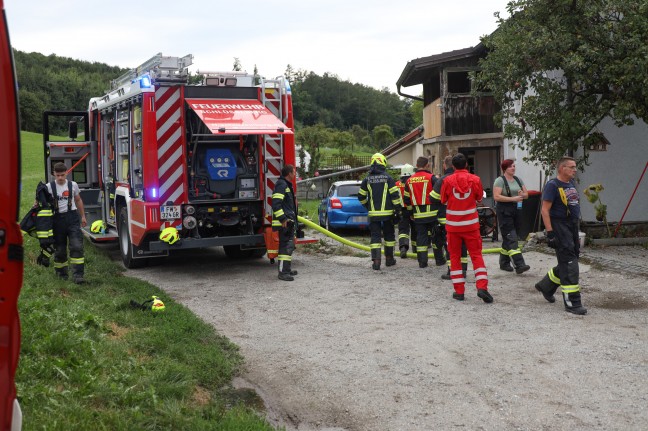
(271, 97)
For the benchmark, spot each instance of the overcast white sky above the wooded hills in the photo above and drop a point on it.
(367, 42)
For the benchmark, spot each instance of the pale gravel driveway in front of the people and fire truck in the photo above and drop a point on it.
(347, 348)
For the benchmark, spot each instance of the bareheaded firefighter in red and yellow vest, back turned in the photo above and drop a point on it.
(418, 197)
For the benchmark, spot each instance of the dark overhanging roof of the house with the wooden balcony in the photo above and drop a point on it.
(419, 70)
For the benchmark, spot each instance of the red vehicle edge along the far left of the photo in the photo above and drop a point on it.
(11, 250)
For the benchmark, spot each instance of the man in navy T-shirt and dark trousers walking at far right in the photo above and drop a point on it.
(560, 213)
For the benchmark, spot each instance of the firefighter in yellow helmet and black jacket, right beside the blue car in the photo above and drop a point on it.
(379, 194)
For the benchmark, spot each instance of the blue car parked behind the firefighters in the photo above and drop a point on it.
(340, 208)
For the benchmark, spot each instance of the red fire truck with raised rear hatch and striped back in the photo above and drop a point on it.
(157, 152)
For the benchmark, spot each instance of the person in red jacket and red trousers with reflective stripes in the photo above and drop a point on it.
(461, 192)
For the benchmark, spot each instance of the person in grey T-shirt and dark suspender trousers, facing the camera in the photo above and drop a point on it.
(509, 192)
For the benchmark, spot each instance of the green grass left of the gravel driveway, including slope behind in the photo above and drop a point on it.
(90, 361)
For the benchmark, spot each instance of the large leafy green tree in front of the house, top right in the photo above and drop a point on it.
(571, 63)
